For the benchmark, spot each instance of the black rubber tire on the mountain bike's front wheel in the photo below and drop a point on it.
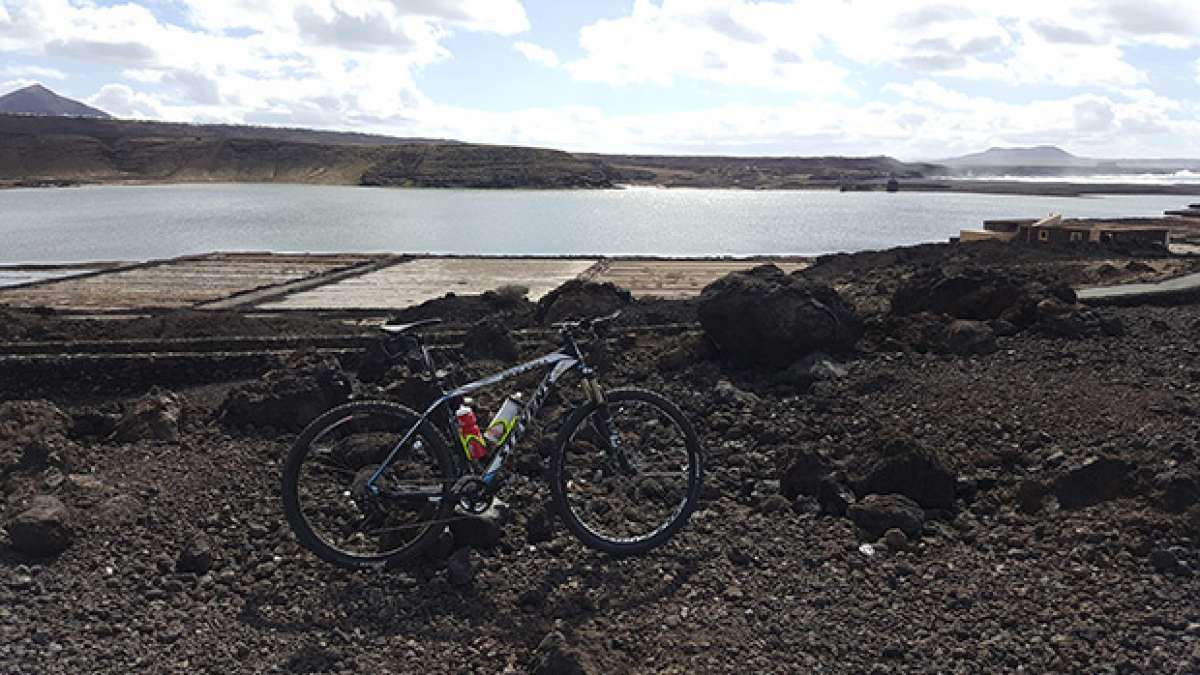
(560, 487)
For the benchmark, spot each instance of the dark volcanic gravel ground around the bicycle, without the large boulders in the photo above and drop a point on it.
(760, 583)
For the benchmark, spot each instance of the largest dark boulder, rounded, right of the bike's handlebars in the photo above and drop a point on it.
(764, 316)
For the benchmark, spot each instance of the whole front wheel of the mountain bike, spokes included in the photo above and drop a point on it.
(628, 473)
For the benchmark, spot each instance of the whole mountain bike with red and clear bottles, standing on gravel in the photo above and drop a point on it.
(392, 483)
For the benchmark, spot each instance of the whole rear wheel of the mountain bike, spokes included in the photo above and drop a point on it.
(329, 505)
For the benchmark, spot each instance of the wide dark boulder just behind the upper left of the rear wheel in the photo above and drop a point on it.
(291, 397)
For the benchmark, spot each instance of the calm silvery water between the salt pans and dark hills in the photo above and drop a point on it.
(143, 223)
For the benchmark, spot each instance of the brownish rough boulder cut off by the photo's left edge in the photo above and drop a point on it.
(33, 435)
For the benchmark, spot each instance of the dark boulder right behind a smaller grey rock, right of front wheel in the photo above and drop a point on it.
(903, 467)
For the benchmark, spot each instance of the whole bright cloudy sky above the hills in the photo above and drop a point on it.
(914, 80)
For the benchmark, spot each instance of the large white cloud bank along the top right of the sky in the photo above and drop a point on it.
(1067, 43)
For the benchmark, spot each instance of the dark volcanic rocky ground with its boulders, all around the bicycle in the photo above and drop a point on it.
(982, 477)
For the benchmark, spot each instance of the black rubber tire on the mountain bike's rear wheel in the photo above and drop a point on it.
(405, 420)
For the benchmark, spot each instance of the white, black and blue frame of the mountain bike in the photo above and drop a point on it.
(562, 361)
